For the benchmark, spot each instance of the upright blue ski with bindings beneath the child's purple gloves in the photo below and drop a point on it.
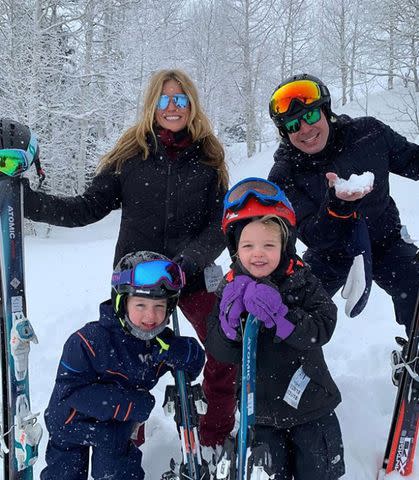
(240, 460)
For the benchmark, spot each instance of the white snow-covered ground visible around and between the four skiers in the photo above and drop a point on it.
(68, 275)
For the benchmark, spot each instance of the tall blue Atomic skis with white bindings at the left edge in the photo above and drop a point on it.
(21, 433)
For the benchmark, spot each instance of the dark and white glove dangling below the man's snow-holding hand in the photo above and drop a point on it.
(357, 287)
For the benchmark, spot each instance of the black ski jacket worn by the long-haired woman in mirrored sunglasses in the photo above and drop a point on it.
(168, 206)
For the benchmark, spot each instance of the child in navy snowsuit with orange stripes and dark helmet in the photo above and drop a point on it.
(108, 368)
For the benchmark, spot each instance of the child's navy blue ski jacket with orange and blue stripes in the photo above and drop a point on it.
(105, 374)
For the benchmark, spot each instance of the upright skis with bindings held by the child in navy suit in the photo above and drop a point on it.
(186, 402)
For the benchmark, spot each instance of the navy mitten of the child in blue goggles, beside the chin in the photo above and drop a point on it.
(182, 353)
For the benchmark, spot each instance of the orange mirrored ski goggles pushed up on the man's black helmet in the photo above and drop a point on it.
(305, 91)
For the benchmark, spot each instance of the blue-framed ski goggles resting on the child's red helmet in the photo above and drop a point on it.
(265, 191)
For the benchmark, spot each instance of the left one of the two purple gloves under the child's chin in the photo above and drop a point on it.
(232, 306)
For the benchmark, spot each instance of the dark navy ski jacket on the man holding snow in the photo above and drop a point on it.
(355, 146)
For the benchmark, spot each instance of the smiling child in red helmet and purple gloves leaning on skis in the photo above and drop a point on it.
(295, 393)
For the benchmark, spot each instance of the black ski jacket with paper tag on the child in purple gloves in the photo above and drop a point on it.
(314, 314)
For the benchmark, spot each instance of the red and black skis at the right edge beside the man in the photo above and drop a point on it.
(401, 443)
